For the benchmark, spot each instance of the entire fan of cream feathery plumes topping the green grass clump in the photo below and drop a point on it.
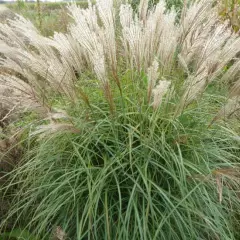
(106, 41)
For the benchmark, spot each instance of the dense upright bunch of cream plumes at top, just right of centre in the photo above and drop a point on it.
(143, 41)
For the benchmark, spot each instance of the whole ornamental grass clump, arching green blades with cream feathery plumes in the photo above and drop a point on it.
(135, 135)
